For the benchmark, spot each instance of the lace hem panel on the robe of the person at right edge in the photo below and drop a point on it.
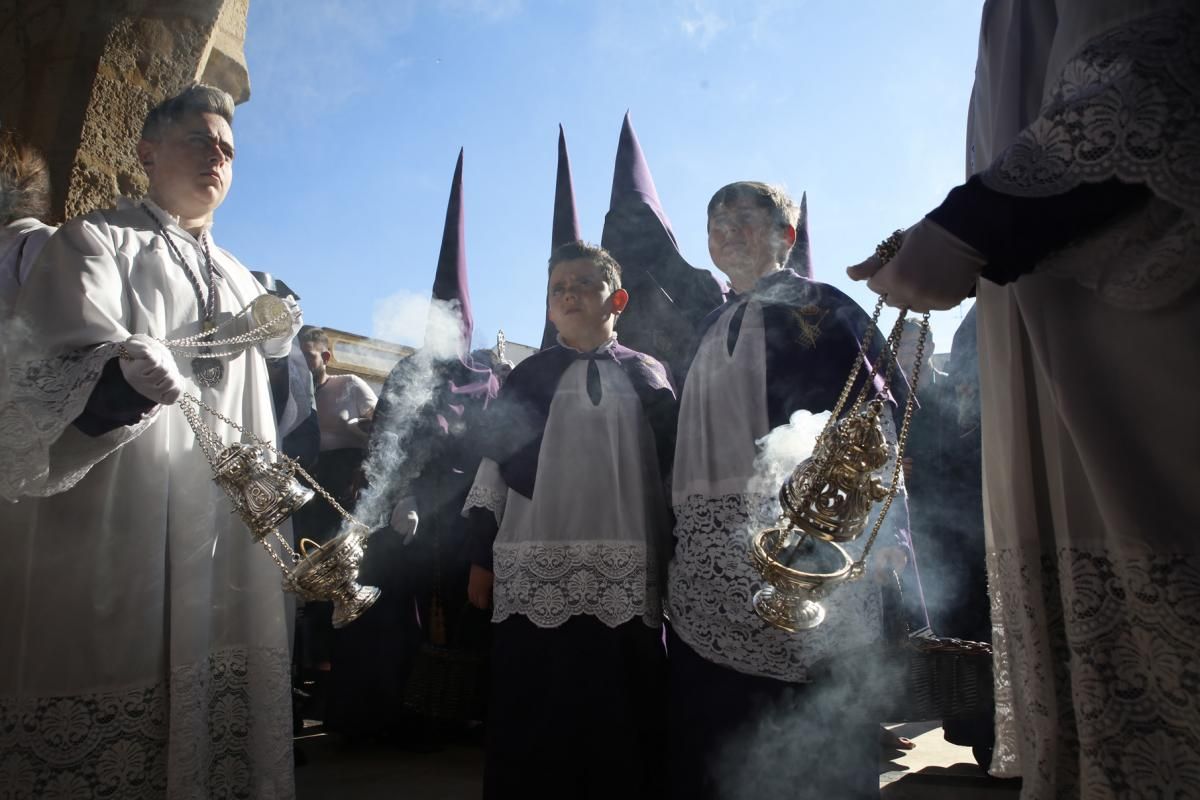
(1125, 720)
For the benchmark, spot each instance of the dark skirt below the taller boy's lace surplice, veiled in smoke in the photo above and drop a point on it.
(735, 736)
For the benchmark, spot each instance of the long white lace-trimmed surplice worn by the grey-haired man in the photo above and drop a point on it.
(143, 633)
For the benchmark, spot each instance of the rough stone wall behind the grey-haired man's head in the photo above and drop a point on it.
(77, 79)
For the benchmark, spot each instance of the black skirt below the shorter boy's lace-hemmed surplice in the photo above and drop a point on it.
(577, 712)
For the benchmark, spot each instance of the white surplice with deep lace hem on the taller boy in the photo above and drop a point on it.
(712, 582)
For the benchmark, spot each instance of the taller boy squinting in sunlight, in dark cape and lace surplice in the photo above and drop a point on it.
(783, 344)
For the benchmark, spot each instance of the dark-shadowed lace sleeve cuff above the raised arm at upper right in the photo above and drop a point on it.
(1124, 107)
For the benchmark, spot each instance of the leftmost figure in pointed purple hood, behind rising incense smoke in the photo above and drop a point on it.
(419, 468)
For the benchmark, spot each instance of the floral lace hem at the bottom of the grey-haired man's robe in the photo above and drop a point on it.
(218, 730)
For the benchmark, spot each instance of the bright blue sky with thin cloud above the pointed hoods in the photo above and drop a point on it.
(358, 110)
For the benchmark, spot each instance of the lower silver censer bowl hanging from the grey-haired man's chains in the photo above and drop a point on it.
(331, 573)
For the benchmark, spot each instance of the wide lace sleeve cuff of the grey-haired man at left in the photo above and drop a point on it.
(40, 401)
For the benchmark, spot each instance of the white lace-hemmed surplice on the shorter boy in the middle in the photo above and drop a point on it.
(586, 543)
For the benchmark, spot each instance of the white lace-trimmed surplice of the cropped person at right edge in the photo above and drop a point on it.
(1090, 471)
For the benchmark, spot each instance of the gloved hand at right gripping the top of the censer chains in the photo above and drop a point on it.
(934, 270)
